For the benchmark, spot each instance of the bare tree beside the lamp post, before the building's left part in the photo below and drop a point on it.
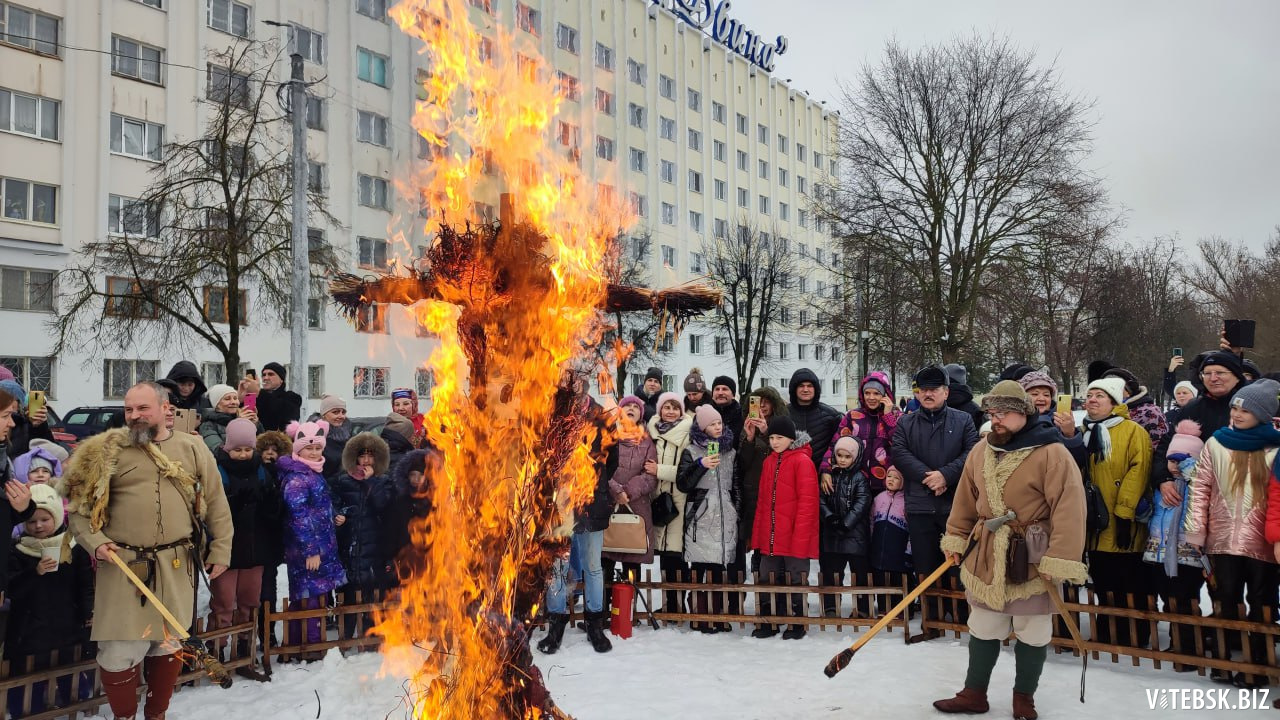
(213, 227)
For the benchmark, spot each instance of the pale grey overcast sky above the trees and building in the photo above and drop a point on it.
(1187, 92)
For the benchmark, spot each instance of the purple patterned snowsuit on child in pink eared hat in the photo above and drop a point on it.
(309, 531)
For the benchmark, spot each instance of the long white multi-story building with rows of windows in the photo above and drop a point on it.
(701, 136)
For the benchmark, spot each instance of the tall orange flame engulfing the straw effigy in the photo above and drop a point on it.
(459, 618)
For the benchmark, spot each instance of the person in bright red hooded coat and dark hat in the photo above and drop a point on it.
(787, 520)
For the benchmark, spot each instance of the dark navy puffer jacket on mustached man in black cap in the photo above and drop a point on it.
(932, 440)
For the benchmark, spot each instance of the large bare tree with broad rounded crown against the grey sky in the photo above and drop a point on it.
(956, 157)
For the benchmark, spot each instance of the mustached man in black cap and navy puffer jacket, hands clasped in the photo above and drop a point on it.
(930, 449)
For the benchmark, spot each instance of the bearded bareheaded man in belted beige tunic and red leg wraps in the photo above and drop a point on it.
(140, 491)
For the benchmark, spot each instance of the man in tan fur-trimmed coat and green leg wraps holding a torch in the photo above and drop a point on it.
(1022, 467)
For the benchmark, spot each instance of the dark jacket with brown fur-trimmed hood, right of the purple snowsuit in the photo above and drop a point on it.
(363, 503)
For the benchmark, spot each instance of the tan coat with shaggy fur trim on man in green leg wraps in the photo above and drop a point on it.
(1043, 485)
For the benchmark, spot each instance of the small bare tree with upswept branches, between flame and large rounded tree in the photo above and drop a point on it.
(757, 279)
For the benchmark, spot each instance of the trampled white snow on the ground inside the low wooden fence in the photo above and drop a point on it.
(675, 673)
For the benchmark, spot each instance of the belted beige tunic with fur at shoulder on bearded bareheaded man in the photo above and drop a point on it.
(136, 487)
